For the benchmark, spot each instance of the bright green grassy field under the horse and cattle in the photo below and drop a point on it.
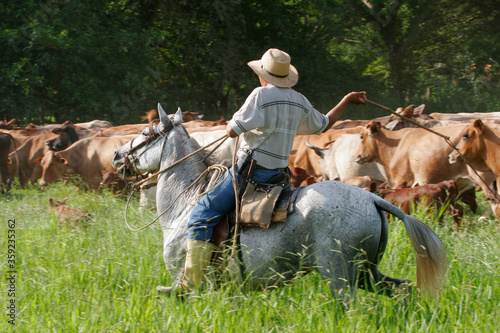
(103, 278)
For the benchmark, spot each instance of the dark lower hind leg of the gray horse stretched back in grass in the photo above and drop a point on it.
(371, 279)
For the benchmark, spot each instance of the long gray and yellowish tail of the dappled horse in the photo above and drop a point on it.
(431, 254)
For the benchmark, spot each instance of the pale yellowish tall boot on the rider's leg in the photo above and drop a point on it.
(198, 257)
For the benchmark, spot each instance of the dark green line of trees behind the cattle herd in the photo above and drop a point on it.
(114, 60)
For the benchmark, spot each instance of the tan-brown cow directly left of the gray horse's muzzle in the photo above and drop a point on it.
(87, 158)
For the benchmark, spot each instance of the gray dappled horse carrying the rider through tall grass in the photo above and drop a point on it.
(339, 230)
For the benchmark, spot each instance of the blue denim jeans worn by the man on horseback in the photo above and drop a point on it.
(212, 207)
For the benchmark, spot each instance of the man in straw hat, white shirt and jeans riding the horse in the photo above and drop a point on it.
(271, 117)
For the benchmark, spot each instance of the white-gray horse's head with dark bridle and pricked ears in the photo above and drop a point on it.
(144, 153)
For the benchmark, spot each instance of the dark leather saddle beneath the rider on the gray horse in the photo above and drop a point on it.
(284, 206)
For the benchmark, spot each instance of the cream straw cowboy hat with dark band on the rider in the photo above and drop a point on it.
(275, 68)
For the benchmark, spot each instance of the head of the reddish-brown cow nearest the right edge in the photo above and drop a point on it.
(471, 146)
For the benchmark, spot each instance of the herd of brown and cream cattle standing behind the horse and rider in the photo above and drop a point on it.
(405, 164)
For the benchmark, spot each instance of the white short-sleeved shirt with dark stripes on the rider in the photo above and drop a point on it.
(270, 119)
